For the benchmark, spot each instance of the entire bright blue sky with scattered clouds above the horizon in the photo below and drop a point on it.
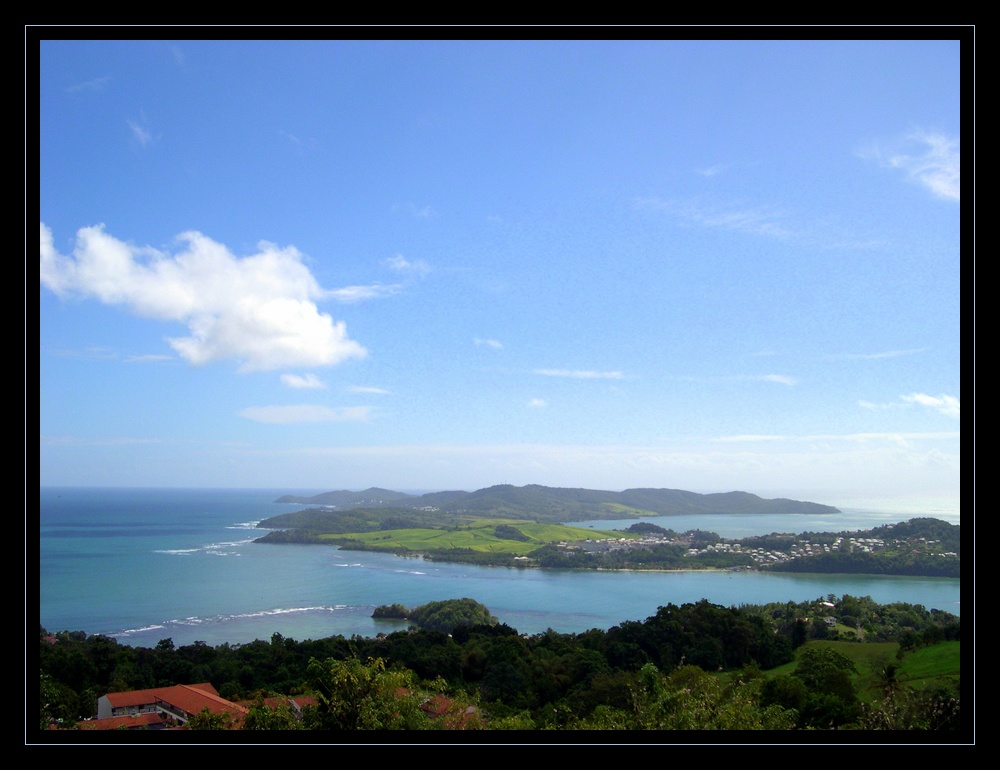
(445, 265)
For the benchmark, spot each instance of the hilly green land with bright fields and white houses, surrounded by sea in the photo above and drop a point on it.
(531, 526)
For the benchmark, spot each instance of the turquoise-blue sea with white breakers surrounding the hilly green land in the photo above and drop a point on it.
(143, 565)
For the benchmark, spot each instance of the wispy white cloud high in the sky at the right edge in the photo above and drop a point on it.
(932, 160)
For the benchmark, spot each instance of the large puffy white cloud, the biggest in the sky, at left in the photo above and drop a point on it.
(258, 310)
